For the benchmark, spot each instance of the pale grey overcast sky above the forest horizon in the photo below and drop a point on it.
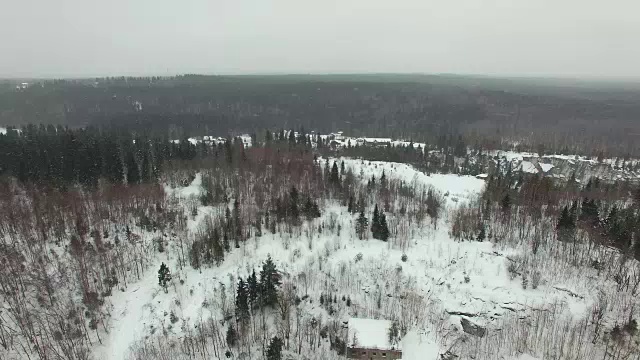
(56, 38)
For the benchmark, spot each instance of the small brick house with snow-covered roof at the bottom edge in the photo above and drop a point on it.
(370, 339)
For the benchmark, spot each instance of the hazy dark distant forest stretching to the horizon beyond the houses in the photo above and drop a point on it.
(555, 115)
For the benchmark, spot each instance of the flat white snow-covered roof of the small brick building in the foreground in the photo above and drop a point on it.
(370, 334)
